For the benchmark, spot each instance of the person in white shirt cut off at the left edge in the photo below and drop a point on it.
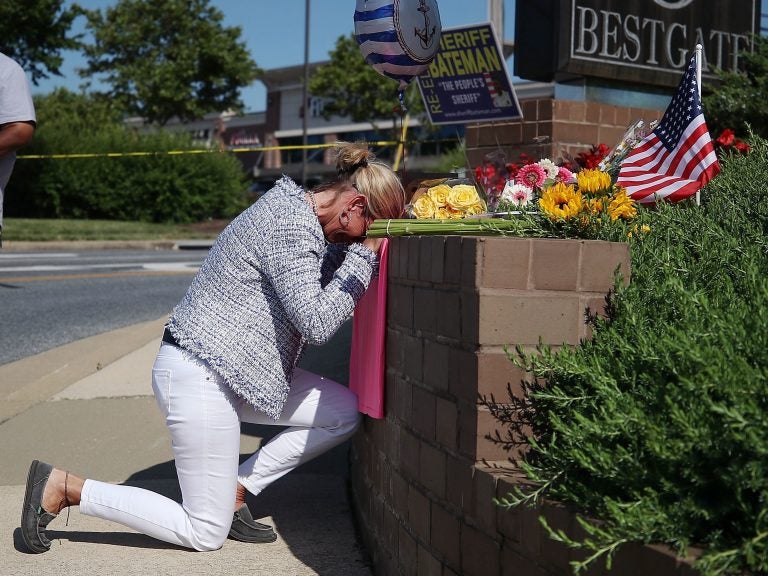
(17, 120)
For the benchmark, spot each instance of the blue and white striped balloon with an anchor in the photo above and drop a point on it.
(398, 38)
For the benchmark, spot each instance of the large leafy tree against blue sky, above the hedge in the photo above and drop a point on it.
(168, 59)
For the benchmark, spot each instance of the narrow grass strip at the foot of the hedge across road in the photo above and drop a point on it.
(47, 230)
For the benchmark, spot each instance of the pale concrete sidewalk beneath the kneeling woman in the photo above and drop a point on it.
(88, 407)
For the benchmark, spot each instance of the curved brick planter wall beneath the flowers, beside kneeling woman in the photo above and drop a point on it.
(421, 489)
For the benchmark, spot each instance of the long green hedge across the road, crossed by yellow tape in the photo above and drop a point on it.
(158, 187)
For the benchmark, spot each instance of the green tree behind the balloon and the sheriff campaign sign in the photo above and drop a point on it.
(353, 88)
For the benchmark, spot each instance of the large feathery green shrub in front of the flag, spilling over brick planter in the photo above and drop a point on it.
(656, 426)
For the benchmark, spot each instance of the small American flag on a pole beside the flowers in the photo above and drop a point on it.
(677, 159)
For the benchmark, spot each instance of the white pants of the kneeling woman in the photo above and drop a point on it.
(203, 416)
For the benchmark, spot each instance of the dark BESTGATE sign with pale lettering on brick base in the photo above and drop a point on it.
(640, 41)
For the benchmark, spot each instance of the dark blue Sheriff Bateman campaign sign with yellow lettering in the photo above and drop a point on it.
(467, 81)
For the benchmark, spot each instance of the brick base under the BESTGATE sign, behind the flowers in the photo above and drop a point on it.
(553, 129)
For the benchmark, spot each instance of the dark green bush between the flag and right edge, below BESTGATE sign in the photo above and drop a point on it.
(738, 102)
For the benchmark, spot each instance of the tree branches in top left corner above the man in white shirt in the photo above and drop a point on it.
(34, 32)
